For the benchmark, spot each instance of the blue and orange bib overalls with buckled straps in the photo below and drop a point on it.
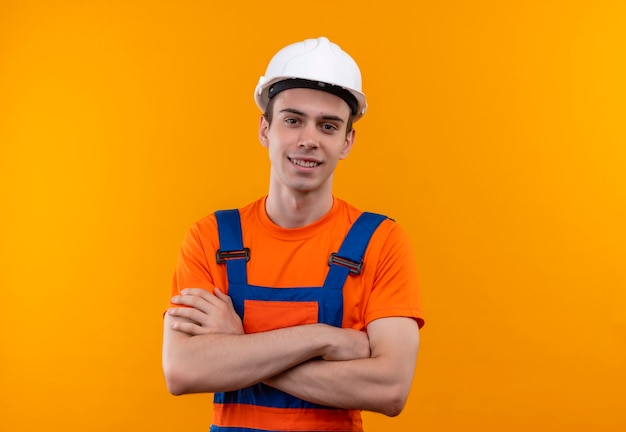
(261, 308)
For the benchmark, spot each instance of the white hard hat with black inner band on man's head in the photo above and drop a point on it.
(313, 63)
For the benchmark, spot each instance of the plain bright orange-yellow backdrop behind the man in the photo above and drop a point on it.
(495, 136)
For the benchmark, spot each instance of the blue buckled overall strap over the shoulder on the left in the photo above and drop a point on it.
(231, 251)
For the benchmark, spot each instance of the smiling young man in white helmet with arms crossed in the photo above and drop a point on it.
(298, 310)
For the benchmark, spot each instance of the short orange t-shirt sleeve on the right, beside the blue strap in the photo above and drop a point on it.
(395, 290)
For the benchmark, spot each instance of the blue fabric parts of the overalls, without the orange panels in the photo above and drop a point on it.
(329, 297)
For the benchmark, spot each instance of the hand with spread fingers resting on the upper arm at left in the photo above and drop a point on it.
(206, 313)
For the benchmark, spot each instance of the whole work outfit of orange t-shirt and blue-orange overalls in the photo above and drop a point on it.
(367, 273)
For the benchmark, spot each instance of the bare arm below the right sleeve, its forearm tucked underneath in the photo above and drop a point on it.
(380, 383)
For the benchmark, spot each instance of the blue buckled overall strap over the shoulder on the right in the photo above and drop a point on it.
(349, 258)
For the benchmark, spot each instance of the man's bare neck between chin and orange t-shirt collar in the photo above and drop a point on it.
(289, 210)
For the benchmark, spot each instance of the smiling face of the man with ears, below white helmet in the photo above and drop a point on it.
(306, 139)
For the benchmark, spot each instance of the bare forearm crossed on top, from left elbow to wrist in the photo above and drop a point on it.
(223, 362)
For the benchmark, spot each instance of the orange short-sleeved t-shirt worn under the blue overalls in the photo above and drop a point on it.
(298, 257)
